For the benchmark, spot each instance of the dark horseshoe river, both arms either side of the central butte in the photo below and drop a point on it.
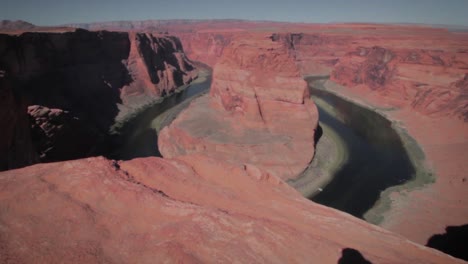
(371, 156)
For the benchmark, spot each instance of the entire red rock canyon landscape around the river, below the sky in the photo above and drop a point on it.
(220, 191)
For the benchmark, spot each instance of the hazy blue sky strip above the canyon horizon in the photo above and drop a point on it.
(52, 12)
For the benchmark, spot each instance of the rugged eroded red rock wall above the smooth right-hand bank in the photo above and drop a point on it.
(431, 82)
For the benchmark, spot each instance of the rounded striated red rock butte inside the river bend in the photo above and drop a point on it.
(258, 112)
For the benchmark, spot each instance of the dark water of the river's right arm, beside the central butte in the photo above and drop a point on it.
(376, 157)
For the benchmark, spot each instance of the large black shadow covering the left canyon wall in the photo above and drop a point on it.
(72, 82)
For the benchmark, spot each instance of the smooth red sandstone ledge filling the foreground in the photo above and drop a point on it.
(192, 209)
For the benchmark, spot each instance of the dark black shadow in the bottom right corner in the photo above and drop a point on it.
(454, 242)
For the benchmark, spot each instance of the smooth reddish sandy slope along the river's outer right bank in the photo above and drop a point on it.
(436, 196)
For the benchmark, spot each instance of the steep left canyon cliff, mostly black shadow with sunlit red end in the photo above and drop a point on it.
(93, 77)
